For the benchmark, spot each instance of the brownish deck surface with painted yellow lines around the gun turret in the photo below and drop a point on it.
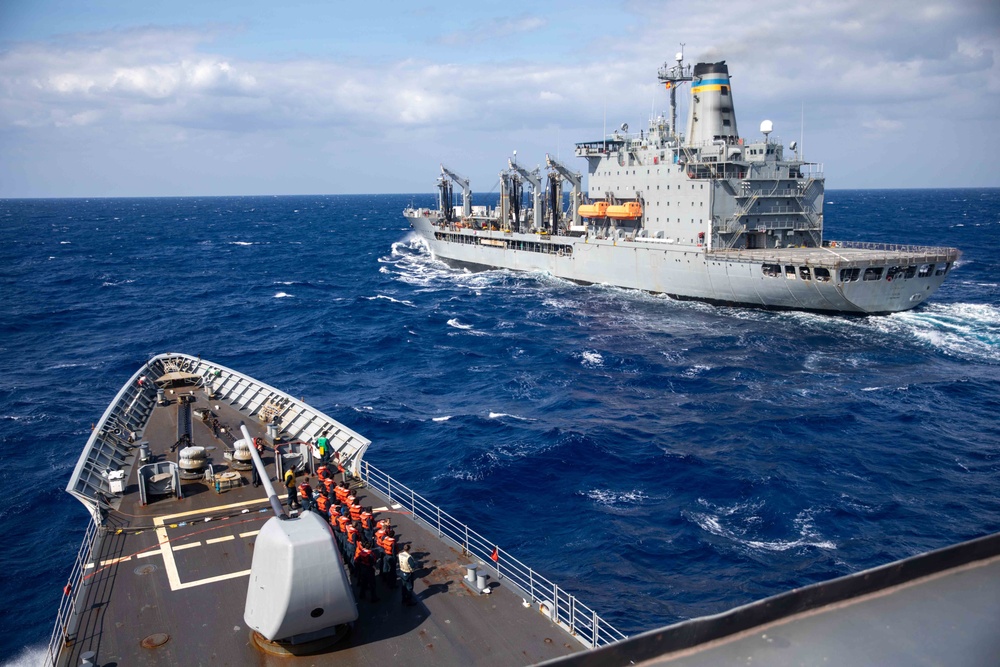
(167, 583)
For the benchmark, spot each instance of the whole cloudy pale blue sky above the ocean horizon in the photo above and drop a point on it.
(184, 98)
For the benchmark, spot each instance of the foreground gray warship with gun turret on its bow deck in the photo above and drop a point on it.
(184, 562)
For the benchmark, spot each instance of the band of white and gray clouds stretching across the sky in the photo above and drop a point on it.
(890, 69)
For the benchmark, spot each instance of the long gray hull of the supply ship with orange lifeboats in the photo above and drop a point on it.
(690, 273)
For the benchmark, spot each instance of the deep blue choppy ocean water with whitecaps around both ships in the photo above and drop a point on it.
(661, 459)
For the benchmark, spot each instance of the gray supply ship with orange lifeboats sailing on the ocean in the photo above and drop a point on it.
(706, 215)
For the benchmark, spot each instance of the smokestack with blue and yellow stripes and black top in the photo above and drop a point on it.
(712, 115)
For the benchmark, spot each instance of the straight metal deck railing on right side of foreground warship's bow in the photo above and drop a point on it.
(562, 607)
